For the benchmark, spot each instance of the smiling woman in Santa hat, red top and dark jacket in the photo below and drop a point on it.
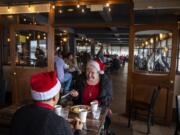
(95, 85)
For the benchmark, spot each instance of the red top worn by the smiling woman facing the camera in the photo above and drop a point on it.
(90, 93)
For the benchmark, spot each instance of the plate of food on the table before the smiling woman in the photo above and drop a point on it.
(79, 108)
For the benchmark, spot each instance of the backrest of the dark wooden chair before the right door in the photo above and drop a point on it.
(154, 97)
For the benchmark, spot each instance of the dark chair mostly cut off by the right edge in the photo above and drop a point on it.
(177, 115)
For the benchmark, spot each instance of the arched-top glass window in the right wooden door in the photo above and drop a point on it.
(152, 51)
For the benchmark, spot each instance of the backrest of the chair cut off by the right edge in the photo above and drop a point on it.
(178, 110)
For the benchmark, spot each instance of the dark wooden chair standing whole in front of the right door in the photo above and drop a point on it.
(136, 106)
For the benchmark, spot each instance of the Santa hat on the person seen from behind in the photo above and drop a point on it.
(44, 86)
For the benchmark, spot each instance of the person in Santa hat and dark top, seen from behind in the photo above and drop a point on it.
(39, 118)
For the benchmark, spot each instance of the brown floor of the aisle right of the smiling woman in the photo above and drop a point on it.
(119, 121)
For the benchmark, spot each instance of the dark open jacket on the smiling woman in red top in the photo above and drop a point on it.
(105, 96)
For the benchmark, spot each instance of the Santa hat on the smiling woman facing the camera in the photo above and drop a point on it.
(98, 65)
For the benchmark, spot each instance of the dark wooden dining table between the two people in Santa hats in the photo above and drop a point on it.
(91, 127)
